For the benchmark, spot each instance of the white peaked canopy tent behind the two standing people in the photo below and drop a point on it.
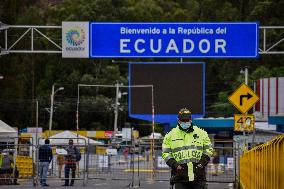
(63, 139)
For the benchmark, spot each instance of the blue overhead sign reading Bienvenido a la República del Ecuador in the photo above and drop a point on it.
(200, 40)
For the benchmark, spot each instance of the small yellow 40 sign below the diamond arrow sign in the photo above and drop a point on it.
(243, 122)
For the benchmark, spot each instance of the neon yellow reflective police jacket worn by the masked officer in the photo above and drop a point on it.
(186, 147)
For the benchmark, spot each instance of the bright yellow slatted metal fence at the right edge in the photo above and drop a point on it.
(262, 166)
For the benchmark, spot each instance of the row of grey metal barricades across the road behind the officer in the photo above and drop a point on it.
(125, 165)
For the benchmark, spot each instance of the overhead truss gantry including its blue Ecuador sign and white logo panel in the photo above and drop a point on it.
(185, 44)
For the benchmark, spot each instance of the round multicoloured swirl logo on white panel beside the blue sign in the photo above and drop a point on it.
(75, 36)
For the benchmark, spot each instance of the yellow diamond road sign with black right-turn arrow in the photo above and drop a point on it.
(243, 98)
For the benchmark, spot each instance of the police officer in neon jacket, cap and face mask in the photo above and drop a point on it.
(187, 150)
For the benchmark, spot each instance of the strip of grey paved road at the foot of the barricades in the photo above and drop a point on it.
(109, 184)
